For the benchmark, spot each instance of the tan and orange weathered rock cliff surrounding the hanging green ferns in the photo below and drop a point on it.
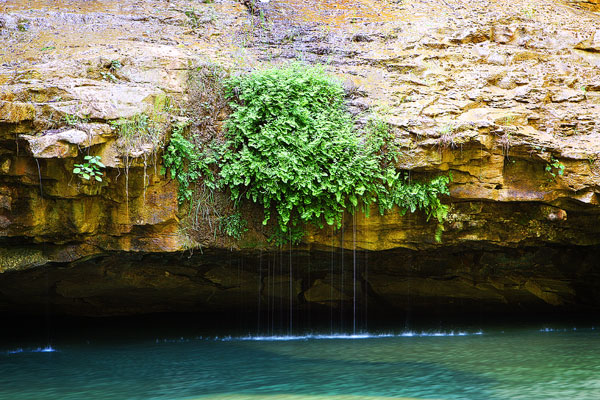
(504, 95)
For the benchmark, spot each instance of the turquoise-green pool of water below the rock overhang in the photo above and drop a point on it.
(525, 363)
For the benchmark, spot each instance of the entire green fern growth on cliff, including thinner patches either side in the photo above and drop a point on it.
(292, 147)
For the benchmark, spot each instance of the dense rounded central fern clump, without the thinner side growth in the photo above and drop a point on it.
(292, 147)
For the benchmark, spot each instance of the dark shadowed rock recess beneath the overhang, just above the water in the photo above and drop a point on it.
(395, 283)
